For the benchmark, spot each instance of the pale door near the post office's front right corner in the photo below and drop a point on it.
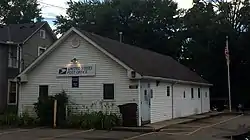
(145, 103)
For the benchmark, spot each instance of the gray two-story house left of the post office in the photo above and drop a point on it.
(20, 44)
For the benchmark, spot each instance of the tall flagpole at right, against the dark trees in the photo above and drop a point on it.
(228, 76)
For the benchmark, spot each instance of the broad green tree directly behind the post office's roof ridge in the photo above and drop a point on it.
(150, 24)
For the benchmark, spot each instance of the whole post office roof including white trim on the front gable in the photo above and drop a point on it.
(145, 62)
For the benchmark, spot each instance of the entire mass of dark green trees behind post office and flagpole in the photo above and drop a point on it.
(196, 37)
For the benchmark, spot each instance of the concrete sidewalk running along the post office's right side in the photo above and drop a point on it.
(159, 125)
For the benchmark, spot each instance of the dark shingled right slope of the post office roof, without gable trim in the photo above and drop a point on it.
(146, 62)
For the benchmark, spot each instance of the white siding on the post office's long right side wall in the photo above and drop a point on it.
(161, 104)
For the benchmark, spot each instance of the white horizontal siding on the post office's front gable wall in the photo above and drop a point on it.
(90, 88)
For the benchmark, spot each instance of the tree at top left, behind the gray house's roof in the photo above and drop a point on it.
(19, 11)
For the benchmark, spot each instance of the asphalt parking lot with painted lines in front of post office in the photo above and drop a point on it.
(207, 129)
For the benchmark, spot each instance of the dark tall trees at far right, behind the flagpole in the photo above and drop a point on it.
(207, 24)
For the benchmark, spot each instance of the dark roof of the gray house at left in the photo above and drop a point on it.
(19, 33)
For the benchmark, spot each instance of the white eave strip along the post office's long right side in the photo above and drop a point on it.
(176, 81)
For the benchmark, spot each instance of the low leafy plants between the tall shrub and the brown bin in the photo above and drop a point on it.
(97, 120)
